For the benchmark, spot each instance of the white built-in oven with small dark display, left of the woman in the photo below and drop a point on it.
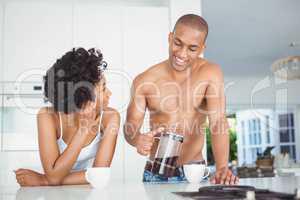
(19, 129)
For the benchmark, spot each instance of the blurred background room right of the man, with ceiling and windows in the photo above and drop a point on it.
(257, 44)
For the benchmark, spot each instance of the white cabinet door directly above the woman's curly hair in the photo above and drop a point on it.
(97, 25)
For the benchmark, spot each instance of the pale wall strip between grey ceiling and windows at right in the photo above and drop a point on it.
(259, 91)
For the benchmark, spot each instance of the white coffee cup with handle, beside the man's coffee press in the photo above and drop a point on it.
(195, 173)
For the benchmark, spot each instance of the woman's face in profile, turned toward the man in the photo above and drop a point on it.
(102, 94)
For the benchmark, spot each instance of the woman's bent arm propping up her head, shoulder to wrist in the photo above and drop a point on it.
(56, 166)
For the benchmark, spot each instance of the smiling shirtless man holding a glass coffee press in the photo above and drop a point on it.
(180, 94)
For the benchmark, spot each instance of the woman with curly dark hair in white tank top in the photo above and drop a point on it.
(79, 127)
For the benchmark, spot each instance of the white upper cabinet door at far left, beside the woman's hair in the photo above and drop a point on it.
(35, 35)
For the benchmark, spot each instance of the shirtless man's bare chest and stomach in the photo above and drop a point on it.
(179, 106)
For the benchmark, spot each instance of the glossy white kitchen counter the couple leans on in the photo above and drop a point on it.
(132, 190)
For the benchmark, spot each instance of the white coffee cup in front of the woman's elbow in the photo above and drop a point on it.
(98, 177)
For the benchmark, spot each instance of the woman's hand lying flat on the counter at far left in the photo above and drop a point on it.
(27, 177)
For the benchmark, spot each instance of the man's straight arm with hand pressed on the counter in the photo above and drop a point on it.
(219, 127)
